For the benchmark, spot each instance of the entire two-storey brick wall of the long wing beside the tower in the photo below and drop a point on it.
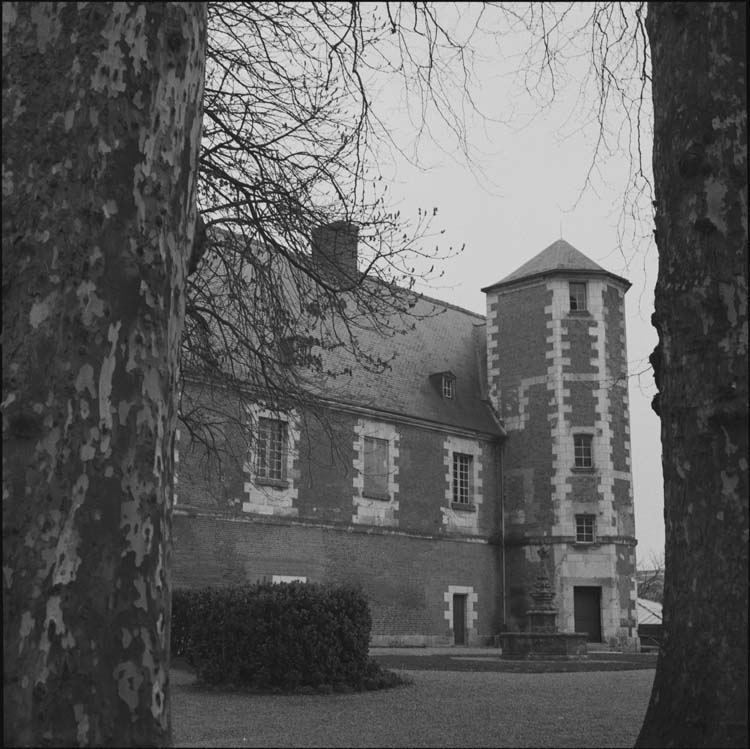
(410, 566)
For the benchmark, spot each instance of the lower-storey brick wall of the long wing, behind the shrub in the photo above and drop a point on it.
(405, 578)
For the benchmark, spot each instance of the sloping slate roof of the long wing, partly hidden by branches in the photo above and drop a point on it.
(444, 338)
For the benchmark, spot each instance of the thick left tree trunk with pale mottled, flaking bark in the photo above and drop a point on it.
(101, 129)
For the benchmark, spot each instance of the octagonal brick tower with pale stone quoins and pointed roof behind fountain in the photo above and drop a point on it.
(557, 370)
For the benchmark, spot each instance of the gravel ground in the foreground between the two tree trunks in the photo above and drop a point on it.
(441, 708)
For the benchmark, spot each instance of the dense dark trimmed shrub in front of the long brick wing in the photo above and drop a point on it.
(274, 635)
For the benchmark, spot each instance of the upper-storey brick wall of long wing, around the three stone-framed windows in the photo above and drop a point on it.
(324, 477)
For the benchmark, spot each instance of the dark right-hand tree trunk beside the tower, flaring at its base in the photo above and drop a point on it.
(700, 169)
